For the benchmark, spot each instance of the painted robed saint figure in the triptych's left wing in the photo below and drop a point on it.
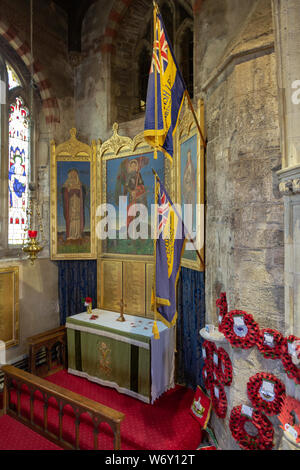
(73, 193)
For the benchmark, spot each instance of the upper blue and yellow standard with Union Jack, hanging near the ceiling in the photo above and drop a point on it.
(166, 92)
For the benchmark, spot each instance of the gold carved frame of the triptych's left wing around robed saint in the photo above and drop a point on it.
(73, 151)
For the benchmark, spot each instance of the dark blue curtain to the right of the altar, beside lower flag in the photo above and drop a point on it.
(191, 318)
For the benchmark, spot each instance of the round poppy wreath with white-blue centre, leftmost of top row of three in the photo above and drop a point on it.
(240, 329)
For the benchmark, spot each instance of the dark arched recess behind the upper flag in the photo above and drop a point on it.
(130, 25)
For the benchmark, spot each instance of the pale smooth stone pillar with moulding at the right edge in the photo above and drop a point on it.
(286, 17)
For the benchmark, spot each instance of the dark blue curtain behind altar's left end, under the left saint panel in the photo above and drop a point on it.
(76, 280)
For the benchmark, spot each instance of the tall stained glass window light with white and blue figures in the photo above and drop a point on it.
(18, 171)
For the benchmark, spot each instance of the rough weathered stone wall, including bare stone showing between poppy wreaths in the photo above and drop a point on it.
(236, 76)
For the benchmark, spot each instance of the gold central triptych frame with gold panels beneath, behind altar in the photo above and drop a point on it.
(125, 276)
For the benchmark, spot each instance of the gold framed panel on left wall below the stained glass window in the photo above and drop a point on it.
(9, 306)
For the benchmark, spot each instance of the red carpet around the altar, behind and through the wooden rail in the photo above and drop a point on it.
(166, 425)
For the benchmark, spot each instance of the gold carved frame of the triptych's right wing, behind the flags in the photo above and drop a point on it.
(186, 130)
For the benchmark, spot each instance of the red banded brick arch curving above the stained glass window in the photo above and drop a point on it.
(50, 104)
